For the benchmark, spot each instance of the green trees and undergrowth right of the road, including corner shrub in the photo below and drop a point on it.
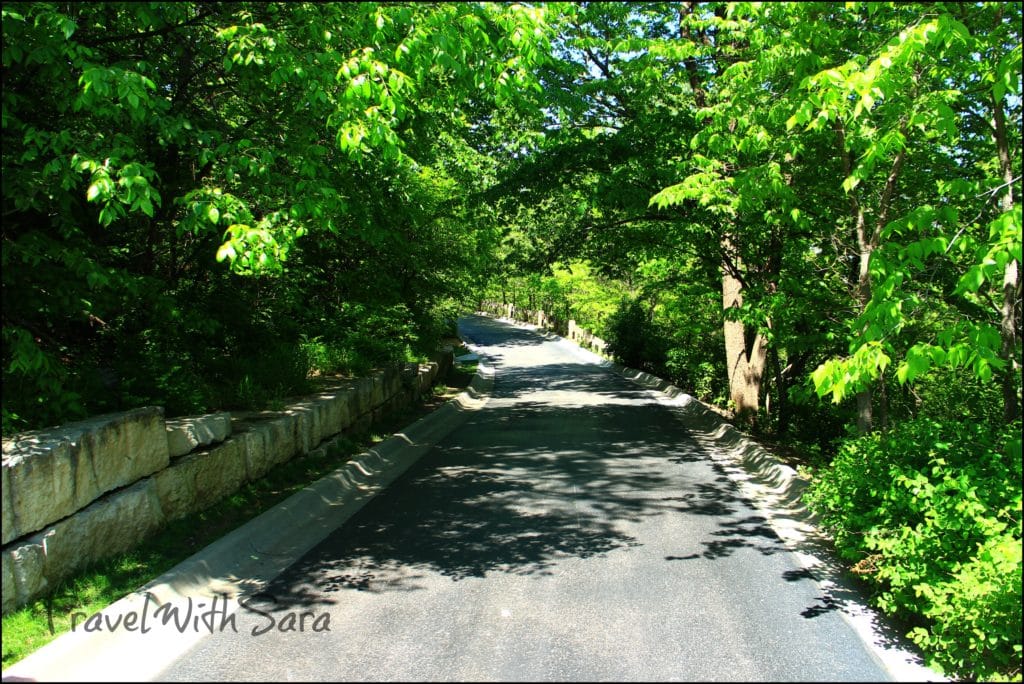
(814, 212)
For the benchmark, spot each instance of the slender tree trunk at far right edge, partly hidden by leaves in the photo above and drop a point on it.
(1011, 279)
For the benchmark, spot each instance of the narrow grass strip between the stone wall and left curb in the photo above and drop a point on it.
(96, 588)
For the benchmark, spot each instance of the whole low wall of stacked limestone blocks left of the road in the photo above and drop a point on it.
(84, 492)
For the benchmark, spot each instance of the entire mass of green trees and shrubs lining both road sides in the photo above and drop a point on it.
(808, 213)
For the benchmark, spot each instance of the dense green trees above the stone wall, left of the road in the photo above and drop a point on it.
(205, 202)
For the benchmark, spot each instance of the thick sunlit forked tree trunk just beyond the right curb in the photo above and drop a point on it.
(745, 358)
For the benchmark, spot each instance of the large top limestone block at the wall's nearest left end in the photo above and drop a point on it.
(50, 475)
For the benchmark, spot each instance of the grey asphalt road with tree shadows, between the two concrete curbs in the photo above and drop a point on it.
(570, 531)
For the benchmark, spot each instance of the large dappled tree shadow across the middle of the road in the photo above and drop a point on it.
(561, 465)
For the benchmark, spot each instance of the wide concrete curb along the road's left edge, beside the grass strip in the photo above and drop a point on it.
(137, 639)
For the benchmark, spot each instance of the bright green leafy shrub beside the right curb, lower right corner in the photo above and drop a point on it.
(931, 516)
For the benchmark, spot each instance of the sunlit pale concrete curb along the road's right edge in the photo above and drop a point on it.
(779, 490)
